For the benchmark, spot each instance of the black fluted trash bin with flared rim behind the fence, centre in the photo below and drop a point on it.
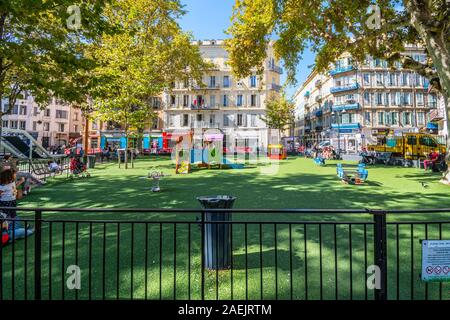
(217, 236)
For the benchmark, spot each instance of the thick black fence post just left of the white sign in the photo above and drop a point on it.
(380, 252)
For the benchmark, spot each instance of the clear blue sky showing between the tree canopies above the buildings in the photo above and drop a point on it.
(208, 19)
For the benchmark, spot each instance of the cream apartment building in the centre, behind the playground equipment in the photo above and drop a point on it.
(231, 106)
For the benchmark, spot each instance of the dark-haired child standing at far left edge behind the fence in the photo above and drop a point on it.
(8, 194)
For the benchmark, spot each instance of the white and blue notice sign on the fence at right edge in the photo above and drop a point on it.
(435, 260)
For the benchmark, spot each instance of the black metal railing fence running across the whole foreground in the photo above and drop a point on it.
(276, 254)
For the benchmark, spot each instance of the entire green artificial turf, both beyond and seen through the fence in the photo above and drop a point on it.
(266, 266)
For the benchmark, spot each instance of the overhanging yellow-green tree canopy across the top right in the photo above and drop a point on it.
(379, 28)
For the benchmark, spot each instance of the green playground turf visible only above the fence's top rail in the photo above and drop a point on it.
(299, 183)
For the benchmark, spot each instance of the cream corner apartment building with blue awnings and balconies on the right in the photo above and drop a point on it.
(359, 102)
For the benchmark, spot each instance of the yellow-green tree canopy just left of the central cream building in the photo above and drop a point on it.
(143, 60)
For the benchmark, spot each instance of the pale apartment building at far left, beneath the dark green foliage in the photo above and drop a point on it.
(53, 125)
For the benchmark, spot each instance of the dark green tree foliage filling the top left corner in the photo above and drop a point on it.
(42, 45)
